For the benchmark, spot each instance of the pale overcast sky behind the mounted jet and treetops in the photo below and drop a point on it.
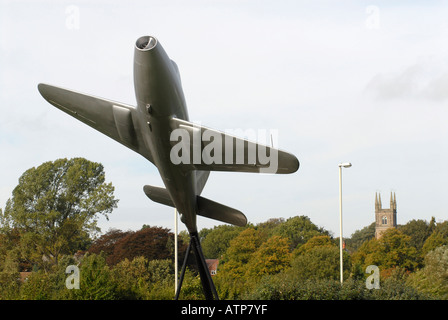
(358, 81)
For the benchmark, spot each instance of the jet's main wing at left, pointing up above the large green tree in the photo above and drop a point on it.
(114, 119)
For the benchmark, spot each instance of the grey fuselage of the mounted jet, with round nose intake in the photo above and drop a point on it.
(160, 98)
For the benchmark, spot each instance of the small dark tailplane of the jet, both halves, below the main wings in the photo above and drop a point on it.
(206, 208)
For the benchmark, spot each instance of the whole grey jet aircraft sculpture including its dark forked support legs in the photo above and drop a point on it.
(183, 152)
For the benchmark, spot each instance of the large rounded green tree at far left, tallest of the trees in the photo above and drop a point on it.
(55, 208)
